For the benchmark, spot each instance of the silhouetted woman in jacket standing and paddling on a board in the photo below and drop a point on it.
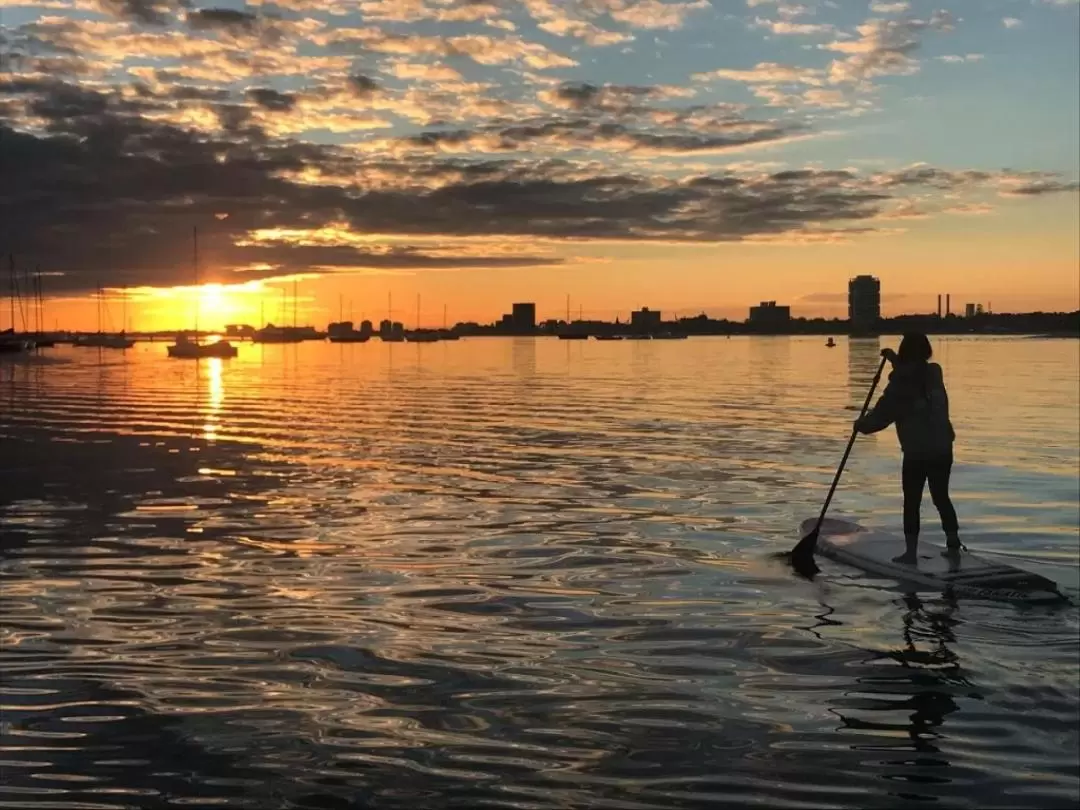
(916, 401)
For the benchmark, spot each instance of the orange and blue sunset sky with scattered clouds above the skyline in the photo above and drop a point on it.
(695, 156)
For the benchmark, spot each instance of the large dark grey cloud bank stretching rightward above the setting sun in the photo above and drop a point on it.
(113, 195)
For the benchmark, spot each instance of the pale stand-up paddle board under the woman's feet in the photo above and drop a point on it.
(965, 574)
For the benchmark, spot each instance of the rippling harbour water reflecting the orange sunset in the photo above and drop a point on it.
(520, 574)
